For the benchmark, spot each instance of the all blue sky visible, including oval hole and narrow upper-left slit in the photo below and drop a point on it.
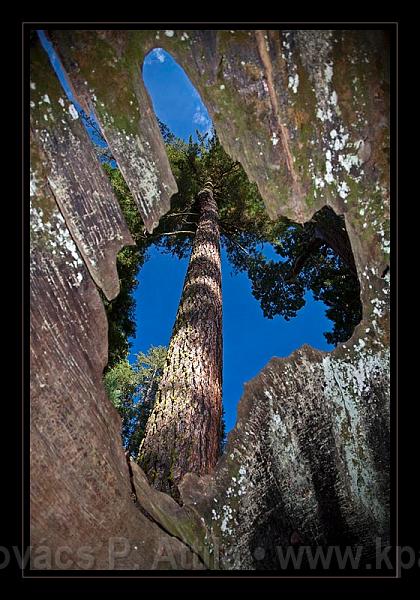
(249, 339)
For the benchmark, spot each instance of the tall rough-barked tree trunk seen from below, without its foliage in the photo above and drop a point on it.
(183, 431)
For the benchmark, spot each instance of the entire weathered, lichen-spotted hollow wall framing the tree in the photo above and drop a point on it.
(306, 113)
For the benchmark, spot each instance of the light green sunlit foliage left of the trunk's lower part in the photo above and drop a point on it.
(132, 390)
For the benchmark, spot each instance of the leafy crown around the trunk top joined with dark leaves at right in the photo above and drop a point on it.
(315, 256)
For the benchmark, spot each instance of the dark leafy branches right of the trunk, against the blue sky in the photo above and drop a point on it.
(307, 262)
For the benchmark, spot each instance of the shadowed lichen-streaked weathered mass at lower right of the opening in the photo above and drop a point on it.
(302, 457)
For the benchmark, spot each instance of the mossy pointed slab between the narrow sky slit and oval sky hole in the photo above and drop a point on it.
(108, 83)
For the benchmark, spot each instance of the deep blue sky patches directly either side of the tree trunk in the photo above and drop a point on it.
(249, 339)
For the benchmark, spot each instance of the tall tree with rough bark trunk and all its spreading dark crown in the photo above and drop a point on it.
(185, 429)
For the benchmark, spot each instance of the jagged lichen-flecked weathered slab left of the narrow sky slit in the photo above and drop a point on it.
(63, 159)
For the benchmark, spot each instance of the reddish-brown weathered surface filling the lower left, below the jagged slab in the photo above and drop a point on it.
(82, 514)
